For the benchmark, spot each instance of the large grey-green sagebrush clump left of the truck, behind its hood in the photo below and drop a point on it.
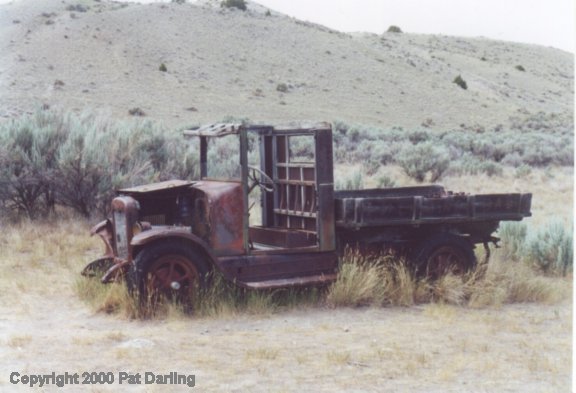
(50, 158)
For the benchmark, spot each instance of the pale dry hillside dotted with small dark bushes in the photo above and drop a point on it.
(267, 67)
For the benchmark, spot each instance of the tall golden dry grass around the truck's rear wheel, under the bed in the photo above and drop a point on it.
(382, 281)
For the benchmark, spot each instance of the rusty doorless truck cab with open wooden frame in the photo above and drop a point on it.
(255, 239)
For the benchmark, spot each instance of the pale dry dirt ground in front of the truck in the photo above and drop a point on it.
(429, 348)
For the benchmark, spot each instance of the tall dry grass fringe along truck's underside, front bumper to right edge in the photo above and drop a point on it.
(363, 280)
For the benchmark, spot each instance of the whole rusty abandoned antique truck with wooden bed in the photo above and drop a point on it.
(280, 223)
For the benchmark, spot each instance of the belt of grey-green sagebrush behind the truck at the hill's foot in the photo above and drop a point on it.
(37, 149)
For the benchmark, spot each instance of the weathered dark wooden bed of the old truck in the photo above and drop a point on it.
(425, 205)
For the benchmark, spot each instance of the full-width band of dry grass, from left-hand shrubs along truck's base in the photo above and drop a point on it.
(44, 259)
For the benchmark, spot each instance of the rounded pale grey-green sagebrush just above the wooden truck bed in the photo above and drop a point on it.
(424, 159)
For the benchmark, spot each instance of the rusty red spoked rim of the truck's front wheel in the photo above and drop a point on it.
(171, 276)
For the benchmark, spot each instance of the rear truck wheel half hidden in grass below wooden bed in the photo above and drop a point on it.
(442, 254)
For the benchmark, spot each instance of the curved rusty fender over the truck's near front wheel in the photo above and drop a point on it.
(163, 233)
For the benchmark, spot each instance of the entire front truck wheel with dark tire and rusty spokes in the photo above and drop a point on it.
(168, 270)
